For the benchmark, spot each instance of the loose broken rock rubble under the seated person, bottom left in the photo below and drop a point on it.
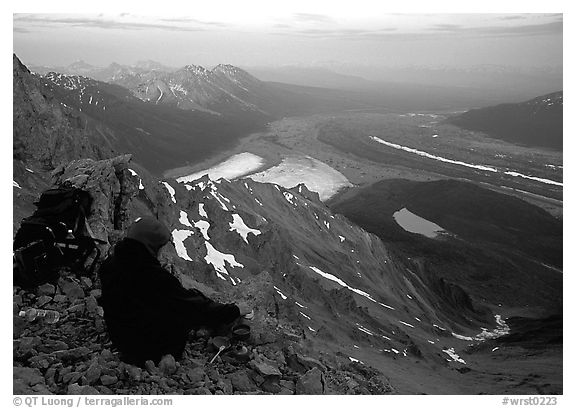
(74, 356)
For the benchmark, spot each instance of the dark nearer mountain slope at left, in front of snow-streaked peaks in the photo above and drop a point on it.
(60, 116)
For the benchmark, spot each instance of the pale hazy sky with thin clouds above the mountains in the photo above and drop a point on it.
(354, 33)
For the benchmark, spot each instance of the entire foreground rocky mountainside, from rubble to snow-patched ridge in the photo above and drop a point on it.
(335, 311)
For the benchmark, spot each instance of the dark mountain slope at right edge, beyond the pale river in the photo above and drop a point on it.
(537, 122)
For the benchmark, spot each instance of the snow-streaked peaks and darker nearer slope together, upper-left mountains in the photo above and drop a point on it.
(165, 119)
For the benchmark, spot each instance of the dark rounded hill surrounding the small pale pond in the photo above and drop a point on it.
(500, 247)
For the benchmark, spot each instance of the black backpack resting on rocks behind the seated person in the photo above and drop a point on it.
(55, 236)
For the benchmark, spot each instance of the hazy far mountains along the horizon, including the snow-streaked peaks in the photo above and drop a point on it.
(271, 90)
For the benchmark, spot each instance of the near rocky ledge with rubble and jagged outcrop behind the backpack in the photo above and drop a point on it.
(75, 356)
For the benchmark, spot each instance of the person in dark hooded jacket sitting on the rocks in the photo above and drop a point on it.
(147, 311)
